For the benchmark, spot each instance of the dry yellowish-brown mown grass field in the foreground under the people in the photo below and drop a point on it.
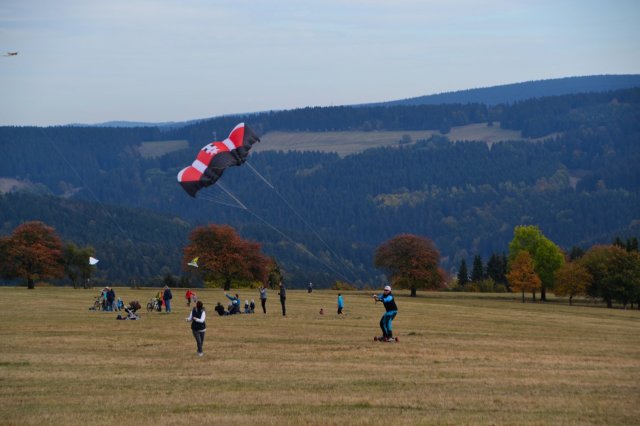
(461, 360)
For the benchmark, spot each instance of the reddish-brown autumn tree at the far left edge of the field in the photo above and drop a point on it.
(33, 251)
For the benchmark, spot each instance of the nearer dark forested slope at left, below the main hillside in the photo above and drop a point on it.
(134, 246)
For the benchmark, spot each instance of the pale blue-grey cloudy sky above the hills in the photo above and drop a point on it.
(94, 61)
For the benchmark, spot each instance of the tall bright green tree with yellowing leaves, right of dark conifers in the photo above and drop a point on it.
(547, 257)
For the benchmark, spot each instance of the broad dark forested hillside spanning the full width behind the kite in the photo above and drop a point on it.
(320, 215)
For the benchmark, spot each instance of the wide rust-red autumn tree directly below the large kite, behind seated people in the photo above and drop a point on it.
(223, 255)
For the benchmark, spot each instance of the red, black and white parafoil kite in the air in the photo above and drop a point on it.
(214, 158)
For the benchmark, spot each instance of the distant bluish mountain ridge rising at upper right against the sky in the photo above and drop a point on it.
(509, 93)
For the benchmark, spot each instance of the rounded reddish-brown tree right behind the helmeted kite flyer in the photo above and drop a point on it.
(411, 261)
